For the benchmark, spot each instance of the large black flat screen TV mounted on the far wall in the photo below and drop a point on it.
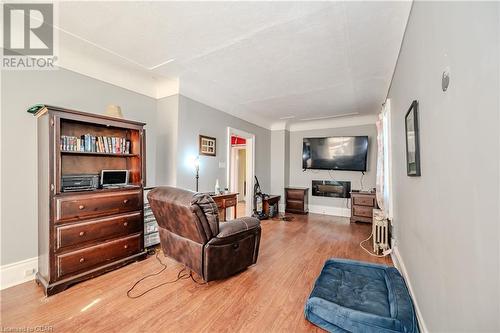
(335, 153)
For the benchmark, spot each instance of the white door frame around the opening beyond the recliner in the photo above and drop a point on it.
(250, 165)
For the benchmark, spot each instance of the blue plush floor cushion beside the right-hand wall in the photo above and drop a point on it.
(353, 296)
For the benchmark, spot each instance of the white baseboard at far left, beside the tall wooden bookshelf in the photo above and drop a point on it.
(18, 272)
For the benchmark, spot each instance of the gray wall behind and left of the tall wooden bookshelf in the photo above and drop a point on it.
(21, 89)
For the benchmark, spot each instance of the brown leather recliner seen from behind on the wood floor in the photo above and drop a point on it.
(191, 234)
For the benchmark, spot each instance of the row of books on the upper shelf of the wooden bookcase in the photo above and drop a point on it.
(98, 144)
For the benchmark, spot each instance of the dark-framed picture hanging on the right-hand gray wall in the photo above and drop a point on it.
(412, 141)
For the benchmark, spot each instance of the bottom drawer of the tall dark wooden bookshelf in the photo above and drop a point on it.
(91, 257)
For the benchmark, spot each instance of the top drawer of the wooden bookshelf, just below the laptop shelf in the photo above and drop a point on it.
(73, 207)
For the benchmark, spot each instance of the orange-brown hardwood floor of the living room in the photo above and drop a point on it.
(267, 297)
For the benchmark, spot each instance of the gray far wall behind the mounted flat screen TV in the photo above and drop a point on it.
(298, 177)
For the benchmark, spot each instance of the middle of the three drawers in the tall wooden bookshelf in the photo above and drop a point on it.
(97, 229)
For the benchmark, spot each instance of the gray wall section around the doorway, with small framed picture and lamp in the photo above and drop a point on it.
(196, 118)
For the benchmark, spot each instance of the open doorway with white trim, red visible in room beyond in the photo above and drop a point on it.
(240, 169)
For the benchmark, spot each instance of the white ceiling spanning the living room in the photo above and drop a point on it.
(262, 61)
